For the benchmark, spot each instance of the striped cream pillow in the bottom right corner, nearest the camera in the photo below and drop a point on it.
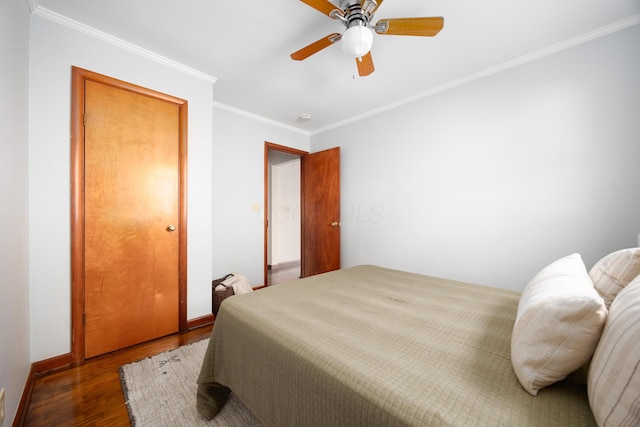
(614, 377)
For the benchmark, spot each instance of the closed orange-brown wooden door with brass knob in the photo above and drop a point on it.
(131, 217)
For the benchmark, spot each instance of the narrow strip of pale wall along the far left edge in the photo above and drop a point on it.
(14, 289)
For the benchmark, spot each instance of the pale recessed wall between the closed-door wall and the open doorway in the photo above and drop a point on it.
(238, 183)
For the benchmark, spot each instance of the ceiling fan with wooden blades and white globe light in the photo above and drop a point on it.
(356, 16)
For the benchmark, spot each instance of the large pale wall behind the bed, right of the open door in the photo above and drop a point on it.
(490, 181)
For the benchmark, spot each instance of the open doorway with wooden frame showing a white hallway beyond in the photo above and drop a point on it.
(283, 213)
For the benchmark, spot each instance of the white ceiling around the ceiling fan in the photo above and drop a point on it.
(246, 44)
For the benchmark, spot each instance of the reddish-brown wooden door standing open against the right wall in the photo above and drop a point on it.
(320, 212)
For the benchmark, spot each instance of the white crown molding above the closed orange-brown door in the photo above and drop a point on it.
(45, 13)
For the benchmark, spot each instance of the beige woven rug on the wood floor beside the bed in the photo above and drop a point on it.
(161, 391)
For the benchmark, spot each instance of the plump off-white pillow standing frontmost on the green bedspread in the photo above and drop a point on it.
(558, 324)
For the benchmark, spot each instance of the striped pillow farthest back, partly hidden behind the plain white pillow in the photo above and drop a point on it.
(613, 272)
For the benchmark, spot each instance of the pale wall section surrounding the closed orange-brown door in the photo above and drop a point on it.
(54, 49)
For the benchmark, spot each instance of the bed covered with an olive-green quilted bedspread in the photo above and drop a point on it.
(369, 346)
